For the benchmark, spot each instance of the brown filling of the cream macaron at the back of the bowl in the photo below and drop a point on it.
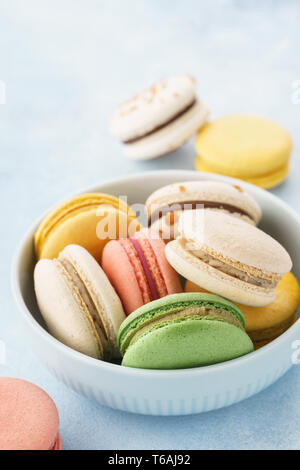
(165, 210)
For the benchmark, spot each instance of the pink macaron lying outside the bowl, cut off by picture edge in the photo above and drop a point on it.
(28, 416)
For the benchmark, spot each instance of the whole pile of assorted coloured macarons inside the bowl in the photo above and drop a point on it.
(119, 296)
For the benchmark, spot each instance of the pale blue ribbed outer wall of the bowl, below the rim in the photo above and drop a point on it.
(173, 392)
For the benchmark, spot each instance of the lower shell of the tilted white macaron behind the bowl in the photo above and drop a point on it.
(170, 137)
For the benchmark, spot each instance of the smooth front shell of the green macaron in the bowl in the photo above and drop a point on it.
(187, 343)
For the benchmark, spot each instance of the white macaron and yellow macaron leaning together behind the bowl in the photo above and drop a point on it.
(163, 117)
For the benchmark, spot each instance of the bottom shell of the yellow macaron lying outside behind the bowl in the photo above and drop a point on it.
(268, 181)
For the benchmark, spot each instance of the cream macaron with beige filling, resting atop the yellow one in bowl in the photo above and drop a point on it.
(228, 256)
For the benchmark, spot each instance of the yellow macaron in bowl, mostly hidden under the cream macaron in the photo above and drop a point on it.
(264, 324)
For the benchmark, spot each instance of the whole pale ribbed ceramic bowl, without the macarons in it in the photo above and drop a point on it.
(155, 392)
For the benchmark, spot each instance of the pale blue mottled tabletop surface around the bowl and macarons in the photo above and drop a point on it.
(66, 65)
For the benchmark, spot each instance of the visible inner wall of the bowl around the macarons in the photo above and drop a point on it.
(278, 220)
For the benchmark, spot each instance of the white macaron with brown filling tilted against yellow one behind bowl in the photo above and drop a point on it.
(159, 119)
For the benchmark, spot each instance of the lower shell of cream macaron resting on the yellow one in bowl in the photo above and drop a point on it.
(213, 280)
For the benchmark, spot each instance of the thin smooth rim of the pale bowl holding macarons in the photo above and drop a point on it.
(116, 368)
